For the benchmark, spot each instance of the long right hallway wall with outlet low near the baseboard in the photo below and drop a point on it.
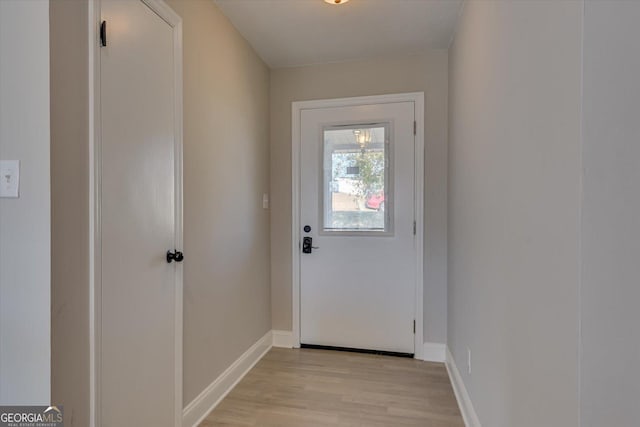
(514, 205)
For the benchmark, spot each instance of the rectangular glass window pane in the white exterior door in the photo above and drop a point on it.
(356, 179)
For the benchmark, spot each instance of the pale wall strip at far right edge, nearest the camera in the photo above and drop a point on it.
(610, 375)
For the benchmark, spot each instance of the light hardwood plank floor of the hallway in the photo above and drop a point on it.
(308, 388)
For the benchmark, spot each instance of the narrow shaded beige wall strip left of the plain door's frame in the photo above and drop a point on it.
(70, 210)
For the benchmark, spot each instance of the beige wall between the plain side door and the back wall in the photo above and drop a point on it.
(226, 171)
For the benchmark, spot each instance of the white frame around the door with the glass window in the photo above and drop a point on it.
(296, 113)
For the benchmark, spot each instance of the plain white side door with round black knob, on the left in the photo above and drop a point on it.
(139, 201)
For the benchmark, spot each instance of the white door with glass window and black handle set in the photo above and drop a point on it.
(357, 284)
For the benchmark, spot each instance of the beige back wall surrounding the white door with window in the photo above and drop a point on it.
(425, 72)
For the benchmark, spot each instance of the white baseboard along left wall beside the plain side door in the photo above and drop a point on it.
(199, 408)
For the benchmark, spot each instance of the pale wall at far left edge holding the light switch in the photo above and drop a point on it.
(24, 222)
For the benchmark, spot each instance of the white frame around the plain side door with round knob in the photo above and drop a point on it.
(95, 198)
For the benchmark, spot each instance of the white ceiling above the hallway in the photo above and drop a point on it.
(288, 33)
